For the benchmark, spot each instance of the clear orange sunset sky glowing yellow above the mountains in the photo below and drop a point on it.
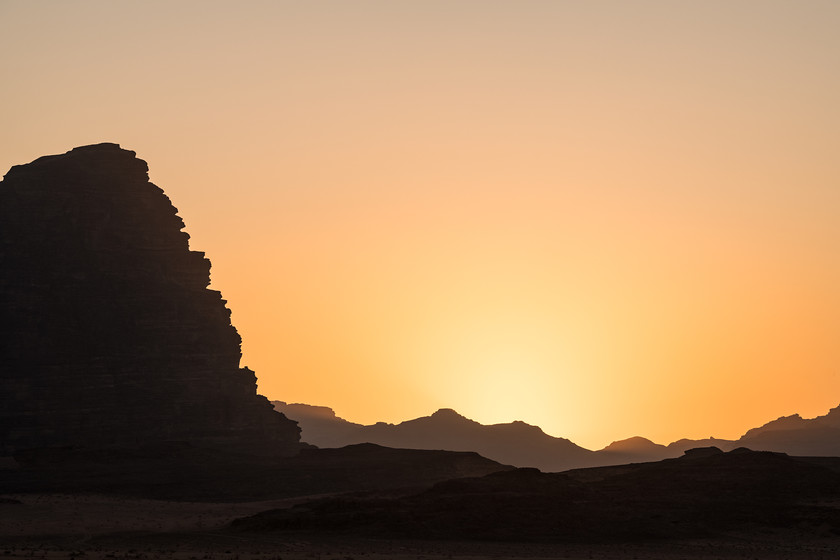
(606, 218)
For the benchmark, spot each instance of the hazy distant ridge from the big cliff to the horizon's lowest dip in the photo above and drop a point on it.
(516, 443)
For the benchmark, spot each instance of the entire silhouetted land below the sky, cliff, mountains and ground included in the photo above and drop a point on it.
(132, 431)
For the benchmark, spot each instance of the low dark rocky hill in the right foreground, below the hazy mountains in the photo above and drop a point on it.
(701, 494)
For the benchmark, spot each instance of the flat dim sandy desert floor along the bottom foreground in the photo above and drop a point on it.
(107, 527)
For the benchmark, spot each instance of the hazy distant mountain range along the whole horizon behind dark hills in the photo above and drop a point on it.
(523, 445)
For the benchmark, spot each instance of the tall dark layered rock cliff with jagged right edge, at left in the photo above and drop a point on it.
(108, 333)
